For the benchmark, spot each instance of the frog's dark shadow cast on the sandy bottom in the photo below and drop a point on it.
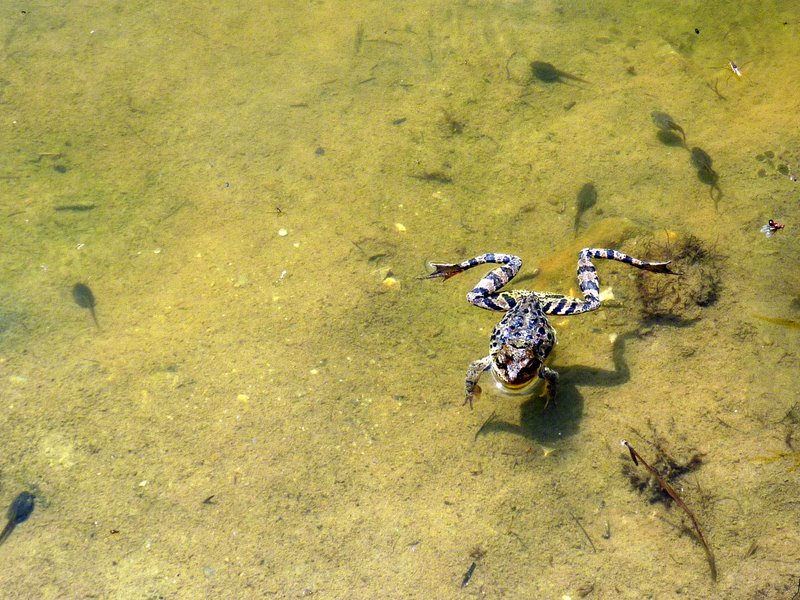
(560, 419)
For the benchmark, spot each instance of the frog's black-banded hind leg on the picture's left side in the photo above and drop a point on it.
(486, 294)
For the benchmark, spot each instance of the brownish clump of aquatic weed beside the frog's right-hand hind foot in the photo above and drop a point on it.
(681, 297)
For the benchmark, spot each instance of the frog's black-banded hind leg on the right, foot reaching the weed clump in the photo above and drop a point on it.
(556, 304)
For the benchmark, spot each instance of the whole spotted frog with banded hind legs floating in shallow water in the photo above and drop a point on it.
(523, 339)
